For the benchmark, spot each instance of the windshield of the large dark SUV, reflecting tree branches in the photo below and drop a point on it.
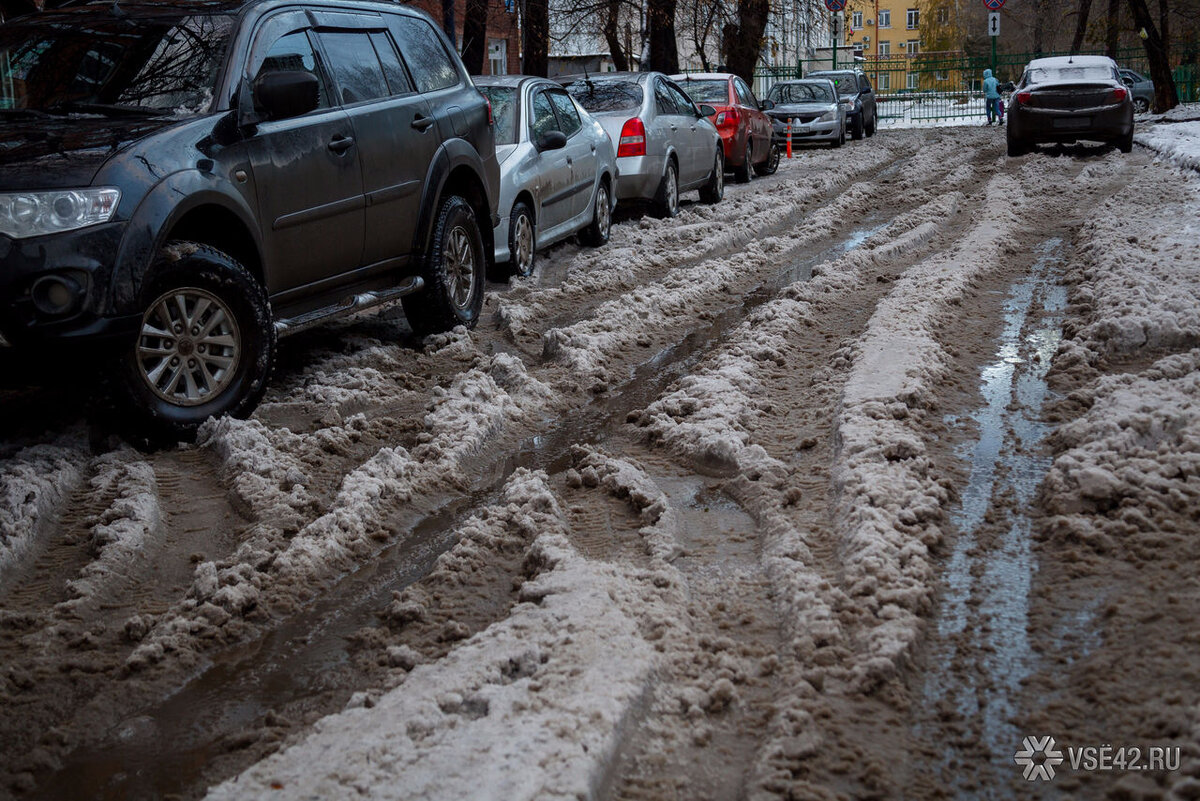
(113, 65)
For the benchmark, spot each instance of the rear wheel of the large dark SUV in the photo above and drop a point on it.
(453, 272)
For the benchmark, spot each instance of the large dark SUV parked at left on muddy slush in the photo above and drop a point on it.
(184, 182)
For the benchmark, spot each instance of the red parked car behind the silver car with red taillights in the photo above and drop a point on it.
(745, 128)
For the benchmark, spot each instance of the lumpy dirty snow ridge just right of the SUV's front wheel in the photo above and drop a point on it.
(293, 541)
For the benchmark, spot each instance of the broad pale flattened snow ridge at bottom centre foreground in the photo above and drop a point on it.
(533, 707)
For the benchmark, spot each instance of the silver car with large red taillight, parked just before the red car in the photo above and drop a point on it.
(664, 143)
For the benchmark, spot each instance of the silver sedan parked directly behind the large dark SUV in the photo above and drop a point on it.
(557, 170)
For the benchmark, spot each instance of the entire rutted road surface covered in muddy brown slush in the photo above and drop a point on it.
(841, 489)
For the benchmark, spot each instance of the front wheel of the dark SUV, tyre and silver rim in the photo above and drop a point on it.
(206, 346)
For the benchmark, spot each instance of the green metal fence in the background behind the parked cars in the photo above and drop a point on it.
(935, 87)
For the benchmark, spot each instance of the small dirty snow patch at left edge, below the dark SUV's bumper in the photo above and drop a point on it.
(34, 485)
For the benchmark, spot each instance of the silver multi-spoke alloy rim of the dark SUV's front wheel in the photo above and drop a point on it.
(189, 347)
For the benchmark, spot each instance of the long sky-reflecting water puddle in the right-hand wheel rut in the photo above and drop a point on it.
(982, 651)
